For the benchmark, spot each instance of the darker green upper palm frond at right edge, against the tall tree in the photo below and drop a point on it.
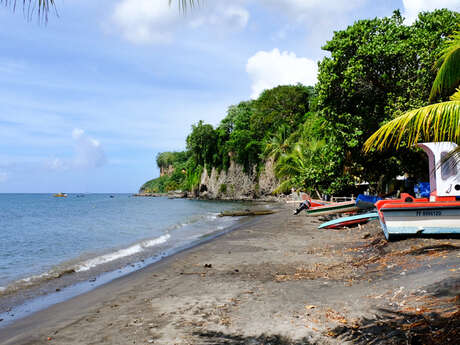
(448, 76)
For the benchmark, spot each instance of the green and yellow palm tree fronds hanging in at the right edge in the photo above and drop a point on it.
(435, 122)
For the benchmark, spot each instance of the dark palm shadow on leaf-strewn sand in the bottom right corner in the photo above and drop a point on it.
(437, 321)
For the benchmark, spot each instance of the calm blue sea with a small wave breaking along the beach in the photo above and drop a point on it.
(59, 247)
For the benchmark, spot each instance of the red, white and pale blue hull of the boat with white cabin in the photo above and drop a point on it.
(412, 219)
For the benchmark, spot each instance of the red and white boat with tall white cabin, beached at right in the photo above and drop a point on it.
(438, 214)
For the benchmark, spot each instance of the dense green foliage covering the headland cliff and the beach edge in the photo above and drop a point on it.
(377, 69)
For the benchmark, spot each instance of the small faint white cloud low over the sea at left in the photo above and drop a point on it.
(88, 154)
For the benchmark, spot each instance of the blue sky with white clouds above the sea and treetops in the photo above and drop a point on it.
(88, 99)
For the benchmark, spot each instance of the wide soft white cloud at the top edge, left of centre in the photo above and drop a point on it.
(150, 21)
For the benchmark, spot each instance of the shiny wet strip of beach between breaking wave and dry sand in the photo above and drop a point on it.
(36, 296)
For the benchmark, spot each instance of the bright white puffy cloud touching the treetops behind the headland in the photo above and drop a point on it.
(270, 69)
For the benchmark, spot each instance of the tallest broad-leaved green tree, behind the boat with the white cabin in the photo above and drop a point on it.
(377, 68)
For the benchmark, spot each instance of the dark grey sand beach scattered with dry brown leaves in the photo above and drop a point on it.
(278, 280)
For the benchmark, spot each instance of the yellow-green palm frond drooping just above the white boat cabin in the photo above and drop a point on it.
(435, 122)
